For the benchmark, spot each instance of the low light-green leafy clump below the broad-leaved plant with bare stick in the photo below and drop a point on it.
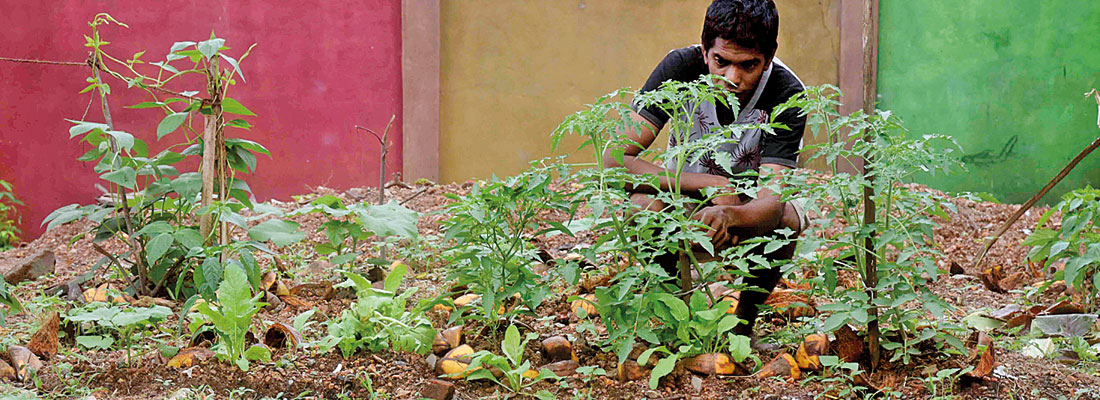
(379, 320)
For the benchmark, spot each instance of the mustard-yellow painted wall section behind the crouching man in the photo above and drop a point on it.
(512, 70)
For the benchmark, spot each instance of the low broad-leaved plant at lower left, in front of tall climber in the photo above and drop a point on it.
(111, 321)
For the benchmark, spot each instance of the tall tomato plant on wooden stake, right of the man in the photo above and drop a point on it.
(903, 231)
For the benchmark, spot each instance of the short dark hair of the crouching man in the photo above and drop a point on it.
(749, 24)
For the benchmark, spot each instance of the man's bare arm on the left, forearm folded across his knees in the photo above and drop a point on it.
(643, 138)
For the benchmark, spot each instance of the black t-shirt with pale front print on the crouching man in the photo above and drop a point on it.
(687, 65)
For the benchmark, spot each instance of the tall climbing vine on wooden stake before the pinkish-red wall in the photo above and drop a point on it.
(166, 216)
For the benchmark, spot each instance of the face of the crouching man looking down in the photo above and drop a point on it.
(742, 66)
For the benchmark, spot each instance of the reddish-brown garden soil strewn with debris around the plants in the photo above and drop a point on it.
(109, 375)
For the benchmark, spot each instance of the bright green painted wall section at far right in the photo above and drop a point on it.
(1004, 77)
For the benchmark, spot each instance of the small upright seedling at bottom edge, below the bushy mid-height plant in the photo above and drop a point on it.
(513, 368)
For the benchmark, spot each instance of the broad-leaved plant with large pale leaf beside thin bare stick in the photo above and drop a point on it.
(350, 227)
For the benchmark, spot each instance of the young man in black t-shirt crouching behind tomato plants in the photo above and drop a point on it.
(739, 43)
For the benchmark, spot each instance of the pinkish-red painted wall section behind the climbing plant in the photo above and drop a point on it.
(320, 69)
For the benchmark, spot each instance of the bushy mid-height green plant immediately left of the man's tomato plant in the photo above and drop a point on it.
(491, 230)
